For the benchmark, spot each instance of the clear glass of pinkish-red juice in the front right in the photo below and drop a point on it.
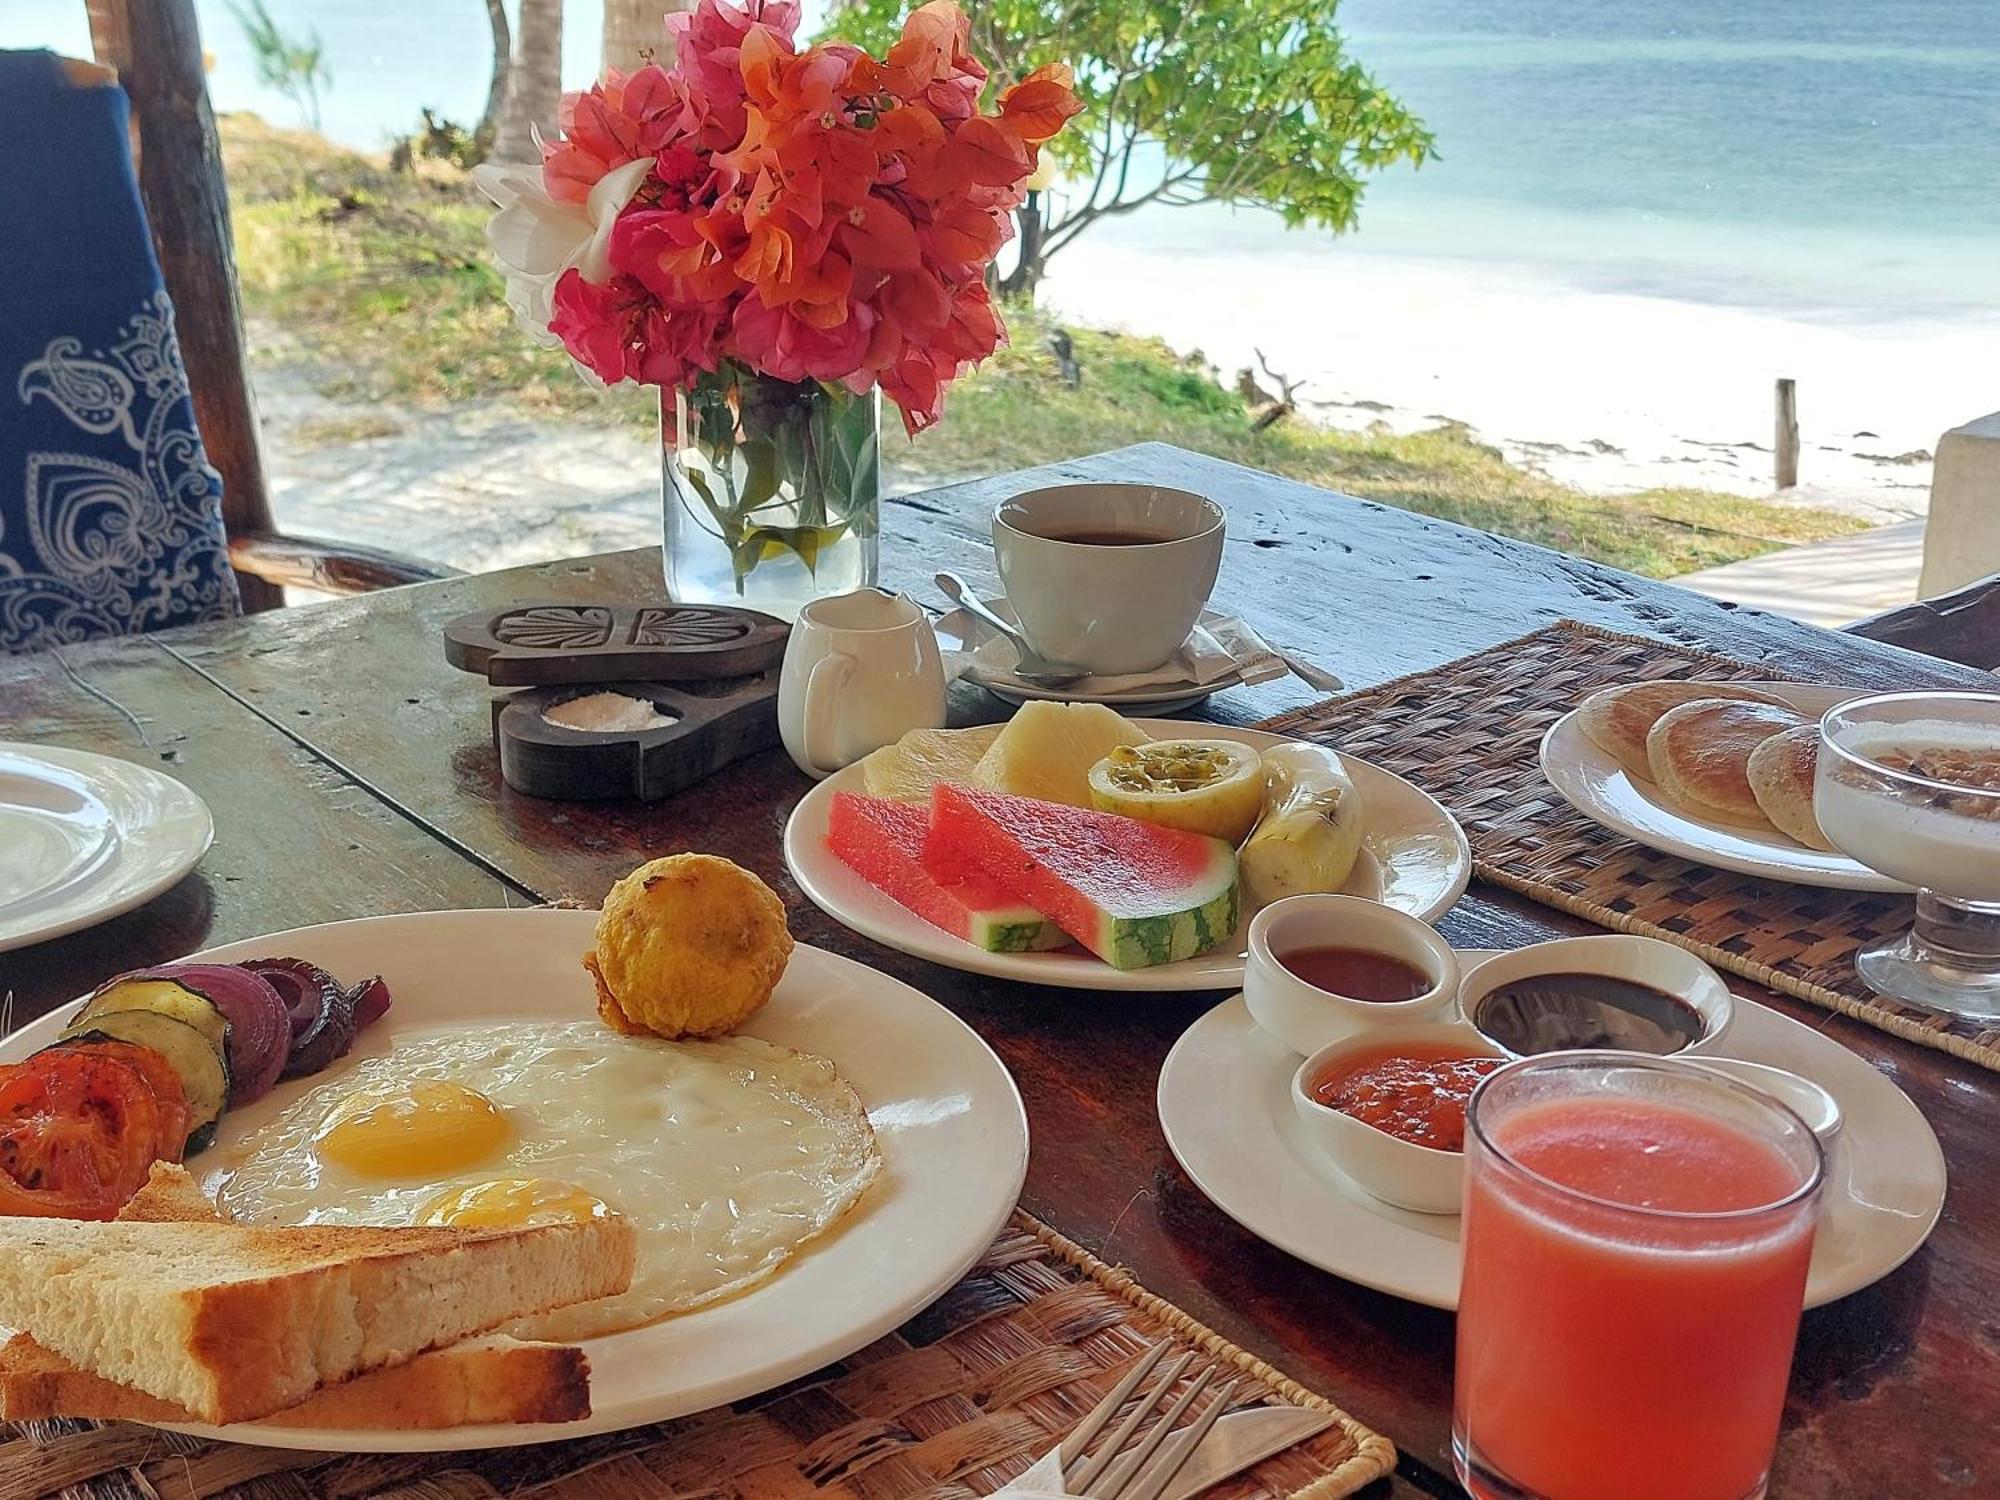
(1637, 1235)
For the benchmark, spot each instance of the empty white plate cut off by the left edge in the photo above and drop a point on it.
(87, 837)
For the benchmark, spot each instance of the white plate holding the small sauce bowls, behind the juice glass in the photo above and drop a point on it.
(1227, 1115)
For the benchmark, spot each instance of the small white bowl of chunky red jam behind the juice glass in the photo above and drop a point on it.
(1389, 1109)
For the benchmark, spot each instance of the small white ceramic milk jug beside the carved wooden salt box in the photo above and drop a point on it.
(859, 673)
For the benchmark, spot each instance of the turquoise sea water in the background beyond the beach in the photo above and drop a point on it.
(1821, 157)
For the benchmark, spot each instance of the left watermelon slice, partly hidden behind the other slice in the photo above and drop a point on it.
(883, 843)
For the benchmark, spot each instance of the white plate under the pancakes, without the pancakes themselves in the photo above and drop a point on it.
(1603, 791)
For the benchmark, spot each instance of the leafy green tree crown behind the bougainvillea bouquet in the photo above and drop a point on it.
(1187, 101)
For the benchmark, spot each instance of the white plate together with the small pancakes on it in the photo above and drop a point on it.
(1719, 773)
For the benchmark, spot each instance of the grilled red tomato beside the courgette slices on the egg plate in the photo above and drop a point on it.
(79, 1133)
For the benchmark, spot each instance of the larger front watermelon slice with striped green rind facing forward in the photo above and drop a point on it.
(1129, 891)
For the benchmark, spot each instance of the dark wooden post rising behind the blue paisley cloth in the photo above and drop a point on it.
(157, 49)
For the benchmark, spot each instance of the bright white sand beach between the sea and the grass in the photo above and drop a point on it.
(1603, 389)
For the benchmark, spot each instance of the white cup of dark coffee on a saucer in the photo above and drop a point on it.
(1121, 607)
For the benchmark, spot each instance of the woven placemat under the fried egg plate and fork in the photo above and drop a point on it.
(951, 1407)
